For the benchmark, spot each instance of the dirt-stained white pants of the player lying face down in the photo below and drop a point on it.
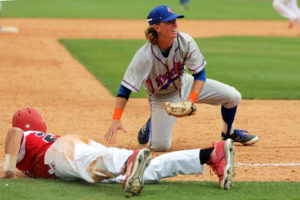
(76, 157)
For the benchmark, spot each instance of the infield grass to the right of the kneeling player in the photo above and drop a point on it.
(259, 67)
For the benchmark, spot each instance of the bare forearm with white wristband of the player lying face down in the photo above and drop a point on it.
(12, 146)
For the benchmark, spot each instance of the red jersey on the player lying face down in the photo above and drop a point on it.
(32, 152)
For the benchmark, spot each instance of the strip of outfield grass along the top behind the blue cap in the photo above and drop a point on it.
(139, 9)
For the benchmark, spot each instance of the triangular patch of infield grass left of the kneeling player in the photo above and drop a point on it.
(107, 60)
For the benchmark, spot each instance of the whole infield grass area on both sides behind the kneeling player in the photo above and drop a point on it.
(259, 67)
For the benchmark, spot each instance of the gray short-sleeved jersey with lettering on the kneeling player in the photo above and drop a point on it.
(161, 75)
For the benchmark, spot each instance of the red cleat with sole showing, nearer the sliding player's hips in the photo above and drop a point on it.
(135, 167)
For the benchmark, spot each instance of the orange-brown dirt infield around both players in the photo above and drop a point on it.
(36, 71)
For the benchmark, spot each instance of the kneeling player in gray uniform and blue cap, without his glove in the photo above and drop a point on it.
(160, 66)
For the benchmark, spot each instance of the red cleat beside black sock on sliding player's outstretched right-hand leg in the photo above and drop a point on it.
(222, 162)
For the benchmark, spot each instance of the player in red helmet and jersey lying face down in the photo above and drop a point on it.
(39, 154)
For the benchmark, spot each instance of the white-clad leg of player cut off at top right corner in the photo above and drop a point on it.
(288, 9)
